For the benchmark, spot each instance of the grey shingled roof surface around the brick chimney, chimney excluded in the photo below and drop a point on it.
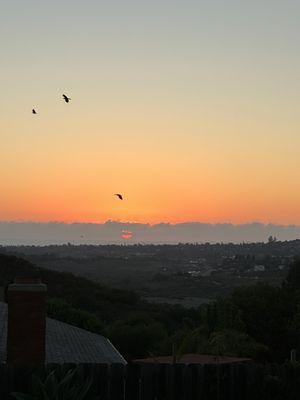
(67, 344)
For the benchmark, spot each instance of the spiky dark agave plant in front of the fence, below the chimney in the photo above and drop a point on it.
(53, 388)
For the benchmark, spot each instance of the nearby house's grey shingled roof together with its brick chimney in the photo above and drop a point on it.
(27, 336)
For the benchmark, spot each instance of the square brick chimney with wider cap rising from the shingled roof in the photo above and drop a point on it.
(26, 331)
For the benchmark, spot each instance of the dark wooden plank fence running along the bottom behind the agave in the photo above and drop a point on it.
(168, 382)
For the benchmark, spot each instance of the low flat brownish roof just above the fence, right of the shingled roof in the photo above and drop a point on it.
(193, 359)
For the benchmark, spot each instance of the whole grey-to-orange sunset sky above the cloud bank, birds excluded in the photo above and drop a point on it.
(188, 108)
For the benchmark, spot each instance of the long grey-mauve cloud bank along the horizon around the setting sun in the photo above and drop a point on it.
(29, 233)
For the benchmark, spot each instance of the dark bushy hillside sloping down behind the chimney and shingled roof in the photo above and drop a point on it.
(136, 327)
